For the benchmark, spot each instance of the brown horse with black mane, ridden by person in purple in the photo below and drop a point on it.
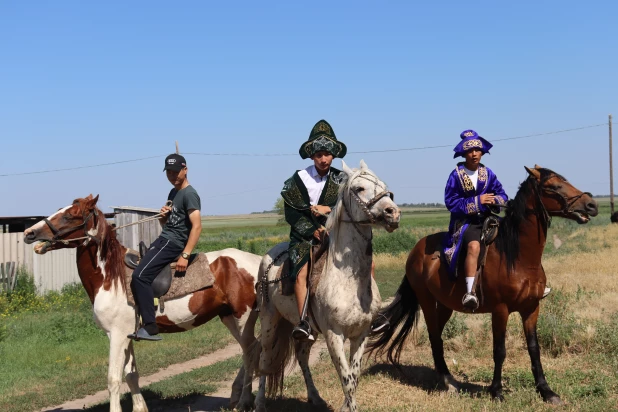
(513, 279)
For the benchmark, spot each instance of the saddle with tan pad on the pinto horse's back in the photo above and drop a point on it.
(171, 284)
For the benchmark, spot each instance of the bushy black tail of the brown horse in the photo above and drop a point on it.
(402, 314)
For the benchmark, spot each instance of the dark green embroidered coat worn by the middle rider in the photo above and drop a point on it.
(302, 222)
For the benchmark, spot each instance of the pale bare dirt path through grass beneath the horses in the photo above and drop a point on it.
(212, 402)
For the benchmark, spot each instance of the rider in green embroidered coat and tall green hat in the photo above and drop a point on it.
(308, 196)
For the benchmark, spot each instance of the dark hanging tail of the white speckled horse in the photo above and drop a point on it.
(282, 359)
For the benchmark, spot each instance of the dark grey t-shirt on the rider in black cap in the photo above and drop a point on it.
(178, 224)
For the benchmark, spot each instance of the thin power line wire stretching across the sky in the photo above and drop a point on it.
(293, 154)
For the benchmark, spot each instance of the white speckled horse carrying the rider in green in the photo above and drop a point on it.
(346, 299)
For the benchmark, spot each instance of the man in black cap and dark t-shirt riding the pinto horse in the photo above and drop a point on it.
(182, 226)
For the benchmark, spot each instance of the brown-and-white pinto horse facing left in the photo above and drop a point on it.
(102, 271)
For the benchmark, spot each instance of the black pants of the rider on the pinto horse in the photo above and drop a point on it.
(162, 252)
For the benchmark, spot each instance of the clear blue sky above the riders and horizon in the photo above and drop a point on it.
(85, 83)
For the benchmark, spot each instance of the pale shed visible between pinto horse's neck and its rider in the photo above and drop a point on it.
(132, 235)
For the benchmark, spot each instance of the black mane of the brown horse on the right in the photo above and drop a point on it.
(507, 241)
